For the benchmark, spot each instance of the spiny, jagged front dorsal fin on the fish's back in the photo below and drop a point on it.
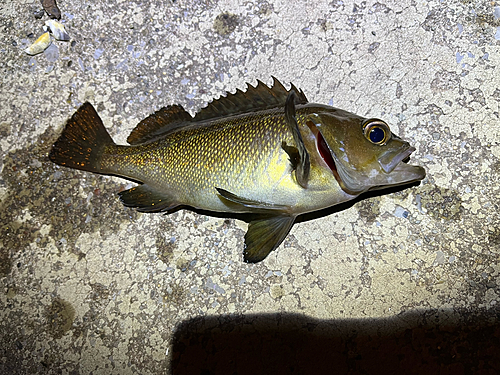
(258, 98)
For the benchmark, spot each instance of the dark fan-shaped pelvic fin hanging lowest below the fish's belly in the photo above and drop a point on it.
(265, 235)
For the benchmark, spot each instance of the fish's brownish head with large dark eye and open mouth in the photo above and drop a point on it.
(362, 153)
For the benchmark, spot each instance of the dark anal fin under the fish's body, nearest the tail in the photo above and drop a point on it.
(145, 199)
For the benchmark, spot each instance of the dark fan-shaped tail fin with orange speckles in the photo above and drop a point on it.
(82, 142)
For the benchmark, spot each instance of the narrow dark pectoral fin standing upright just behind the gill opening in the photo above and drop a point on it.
(303, 166)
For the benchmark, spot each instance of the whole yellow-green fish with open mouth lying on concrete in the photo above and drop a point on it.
(265, 154)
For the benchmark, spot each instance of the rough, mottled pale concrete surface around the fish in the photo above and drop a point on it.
(408, 280)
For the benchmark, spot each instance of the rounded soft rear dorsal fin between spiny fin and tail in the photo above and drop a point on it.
(162, 121)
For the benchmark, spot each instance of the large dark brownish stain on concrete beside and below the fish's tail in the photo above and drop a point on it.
(46, 202)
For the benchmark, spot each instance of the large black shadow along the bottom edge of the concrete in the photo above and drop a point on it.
(421, 342)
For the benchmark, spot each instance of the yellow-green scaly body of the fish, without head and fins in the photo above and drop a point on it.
(243, 155)
